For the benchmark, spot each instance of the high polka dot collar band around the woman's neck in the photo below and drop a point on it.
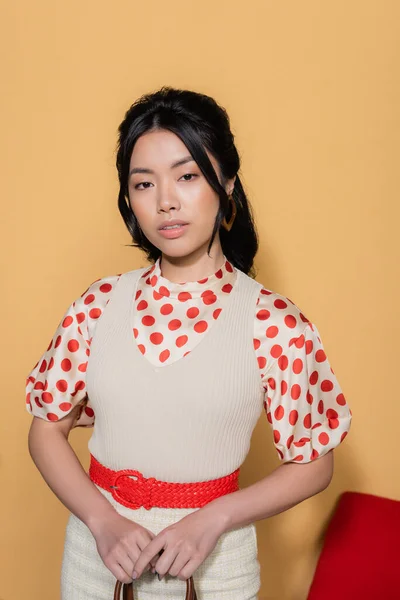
(226, 274)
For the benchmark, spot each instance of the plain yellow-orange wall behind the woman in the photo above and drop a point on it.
(313, 93)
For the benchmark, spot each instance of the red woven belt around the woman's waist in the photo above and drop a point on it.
(133, 490)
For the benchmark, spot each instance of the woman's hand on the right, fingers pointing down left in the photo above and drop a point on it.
(184, 546)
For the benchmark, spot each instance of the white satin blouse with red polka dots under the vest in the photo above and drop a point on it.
(303, 401)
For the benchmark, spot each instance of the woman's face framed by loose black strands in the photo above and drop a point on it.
(165, 184)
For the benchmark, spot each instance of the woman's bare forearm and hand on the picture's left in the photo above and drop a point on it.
(119, 540)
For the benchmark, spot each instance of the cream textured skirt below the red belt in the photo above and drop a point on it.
(230, 572)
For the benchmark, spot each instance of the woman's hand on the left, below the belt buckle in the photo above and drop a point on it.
(120, 543)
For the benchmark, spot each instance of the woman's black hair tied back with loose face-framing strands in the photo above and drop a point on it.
(200, 123)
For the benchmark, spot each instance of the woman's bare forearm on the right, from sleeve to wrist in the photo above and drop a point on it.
(288, 485)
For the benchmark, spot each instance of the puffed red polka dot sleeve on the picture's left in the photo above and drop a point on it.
(57, 383)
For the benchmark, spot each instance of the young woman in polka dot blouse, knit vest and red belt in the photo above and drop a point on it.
(173, 364)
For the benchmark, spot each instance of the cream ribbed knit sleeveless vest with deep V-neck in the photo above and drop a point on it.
(188, 421)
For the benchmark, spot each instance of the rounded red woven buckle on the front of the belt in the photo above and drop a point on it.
(138, 489)
